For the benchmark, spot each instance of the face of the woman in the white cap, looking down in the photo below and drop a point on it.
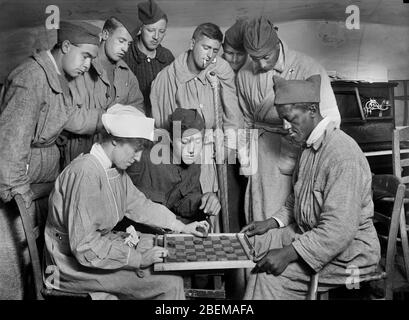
(125, 154)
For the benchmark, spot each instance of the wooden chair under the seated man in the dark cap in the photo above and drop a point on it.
(395, 189)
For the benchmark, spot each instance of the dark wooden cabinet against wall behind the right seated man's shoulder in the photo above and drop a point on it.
(372, 129)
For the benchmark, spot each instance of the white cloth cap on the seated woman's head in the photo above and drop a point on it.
(122, 122)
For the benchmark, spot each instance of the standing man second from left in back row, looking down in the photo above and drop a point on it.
(109, 81)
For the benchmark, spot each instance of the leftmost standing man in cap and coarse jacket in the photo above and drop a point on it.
(35, 105)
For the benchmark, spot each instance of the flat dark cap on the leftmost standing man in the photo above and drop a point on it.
(78, 32)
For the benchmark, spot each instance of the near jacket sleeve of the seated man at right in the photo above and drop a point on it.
(339, 220)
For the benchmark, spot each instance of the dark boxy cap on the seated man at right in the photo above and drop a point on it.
(297, 91)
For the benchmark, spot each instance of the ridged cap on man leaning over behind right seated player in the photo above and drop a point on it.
(260, 37)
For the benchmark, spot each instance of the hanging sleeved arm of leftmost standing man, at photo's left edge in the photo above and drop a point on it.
(20, 102)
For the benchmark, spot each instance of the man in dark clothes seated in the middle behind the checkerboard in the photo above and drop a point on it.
(177, 185)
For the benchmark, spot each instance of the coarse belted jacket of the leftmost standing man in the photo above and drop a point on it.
(34, 111)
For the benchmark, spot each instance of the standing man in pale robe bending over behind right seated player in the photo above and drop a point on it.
(270, 185)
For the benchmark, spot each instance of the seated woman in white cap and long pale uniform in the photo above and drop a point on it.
(90, 196)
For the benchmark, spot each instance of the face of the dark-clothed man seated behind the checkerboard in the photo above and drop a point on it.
(188, 148)
